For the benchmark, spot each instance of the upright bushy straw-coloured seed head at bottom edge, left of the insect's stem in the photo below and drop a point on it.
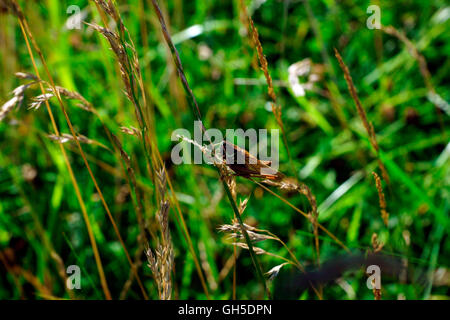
(161, 260)
